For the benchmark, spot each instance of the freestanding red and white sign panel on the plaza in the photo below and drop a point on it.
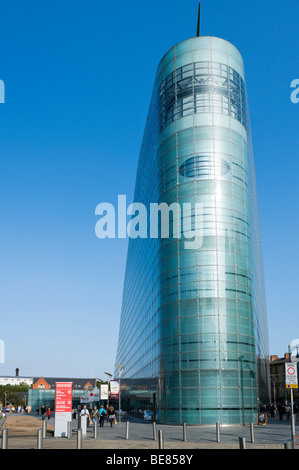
(63, 407)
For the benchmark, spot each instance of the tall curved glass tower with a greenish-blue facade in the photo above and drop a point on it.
(193, 326)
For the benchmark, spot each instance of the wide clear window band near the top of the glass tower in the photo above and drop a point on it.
(202, 87)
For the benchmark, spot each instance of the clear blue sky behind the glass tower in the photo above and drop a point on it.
(78, 79)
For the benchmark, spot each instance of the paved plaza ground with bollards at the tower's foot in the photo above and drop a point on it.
(22, 432)
